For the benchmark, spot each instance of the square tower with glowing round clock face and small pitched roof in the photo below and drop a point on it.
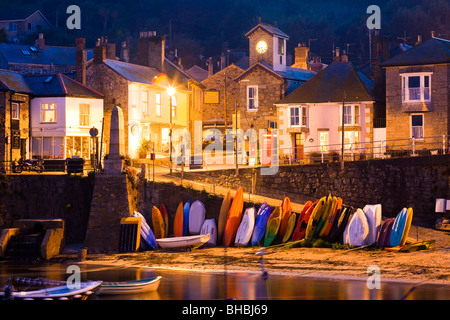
(267, 44)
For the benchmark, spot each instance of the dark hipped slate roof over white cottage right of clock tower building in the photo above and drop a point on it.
(329, 85)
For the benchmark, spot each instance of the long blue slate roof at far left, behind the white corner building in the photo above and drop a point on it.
(62, 56)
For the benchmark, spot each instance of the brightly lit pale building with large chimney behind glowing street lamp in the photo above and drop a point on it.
(141, 91)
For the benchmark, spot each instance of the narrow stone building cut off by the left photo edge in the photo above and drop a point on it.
(14, 117)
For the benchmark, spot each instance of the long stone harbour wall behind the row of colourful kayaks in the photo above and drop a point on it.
(395, 183)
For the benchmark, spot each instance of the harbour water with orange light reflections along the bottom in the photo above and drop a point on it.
(183, 285)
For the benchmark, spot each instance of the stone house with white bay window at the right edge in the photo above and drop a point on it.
(418, 95)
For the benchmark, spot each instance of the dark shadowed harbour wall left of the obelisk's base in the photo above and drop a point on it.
(47, 197)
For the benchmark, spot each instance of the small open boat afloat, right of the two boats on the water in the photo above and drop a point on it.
(129, 287)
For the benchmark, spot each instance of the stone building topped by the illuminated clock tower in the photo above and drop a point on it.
(255, 89)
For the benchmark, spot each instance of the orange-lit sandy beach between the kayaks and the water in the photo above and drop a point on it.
(427, 266)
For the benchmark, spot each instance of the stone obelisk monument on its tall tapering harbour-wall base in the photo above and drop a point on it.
(113, 194)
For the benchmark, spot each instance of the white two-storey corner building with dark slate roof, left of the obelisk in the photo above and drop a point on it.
(62, 113)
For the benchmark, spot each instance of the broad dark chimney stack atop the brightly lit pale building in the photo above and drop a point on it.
(151, 50)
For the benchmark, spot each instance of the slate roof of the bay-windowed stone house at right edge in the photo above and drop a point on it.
(431, 51)
